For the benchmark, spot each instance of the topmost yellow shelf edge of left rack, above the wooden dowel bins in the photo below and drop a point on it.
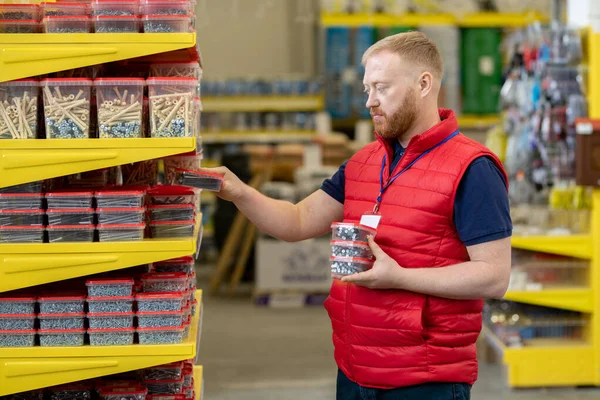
(25, 55)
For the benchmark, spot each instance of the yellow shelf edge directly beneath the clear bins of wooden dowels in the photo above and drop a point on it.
(28, 160)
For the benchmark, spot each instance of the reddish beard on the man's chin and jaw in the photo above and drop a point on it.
(396, 125)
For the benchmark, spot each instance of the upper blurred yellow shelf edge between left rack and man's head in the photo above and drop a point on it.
(262, 103)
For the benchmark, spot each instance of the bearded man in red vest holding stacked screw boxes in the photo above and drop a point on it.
(406, 329)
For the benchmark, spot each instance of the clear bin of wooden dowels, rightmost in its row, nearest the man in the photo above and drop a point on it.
(171, 106)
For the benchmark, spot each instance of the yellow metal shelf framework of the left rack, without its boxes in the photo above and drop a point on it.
(22, 161)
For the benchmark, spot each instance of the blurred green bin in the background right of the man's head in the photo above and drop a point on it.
(481, 70)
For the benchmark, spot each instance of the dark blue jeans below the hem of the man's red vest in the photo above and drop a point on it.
(348, 390)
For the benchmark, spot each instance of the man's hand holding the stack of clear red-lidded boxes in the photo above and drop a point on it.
(385, 274)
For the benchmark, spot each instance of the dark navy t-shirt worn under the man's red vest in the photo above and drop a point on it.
(481, 209)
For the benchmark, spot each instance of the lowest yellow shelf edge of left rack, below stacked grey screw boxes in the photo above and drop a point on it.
(29, 368)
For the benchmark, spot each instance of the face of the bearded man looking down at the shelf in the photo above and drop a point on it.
(392, 91)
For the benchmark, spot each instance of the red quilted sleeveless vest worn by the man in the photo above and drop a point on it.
(393, 338)
